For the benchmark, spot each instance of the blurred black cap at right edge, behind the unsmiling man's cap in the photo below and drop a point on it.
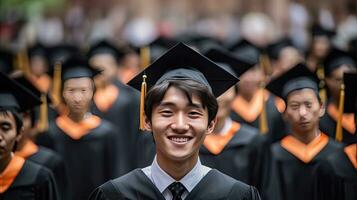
(335, 59)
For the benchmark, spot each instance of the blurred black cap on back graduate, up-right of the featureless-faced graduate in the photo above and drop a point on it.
(105, 47)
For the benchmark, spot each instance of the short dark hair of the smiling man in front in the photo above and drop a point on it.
(189, 87)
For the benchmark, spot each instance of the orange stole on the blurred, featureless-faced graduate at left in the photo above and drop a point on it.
(77, 130)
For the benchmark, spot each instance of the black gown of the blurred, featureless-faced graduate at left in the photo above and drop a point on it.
(90, 161)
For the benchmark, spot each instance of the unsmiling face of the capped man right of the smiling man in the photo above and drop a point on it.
(303, 110)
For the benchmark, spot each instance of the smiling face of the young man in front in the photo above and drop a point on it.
(179, 128)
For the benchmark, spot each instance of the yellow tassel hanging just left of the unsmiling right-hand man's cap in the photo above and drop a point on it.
(267, 69)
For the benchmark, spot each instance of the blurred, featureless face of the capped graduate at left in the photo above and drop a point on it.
(78, 93)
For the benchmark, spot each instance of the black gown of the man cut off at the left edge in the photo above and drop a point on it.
(33, 182)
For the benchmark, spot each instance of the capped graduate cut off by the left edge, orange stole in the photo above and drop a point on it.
(19, 178)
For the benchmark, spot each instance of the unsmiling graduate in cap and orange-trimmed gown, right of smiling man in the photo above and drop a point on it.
(295, 158)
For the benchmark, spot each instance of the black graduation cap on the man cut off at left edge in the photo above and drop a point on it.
(15, 96)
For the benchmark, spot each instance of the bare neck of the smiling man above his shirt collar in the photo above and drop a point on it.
(177, 169)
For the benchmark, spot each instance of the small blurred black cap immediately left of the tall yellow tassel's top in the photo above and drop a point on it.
(246, 50)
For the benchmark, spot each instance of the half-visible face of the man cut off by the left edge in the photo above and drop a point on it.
(8, 135)
